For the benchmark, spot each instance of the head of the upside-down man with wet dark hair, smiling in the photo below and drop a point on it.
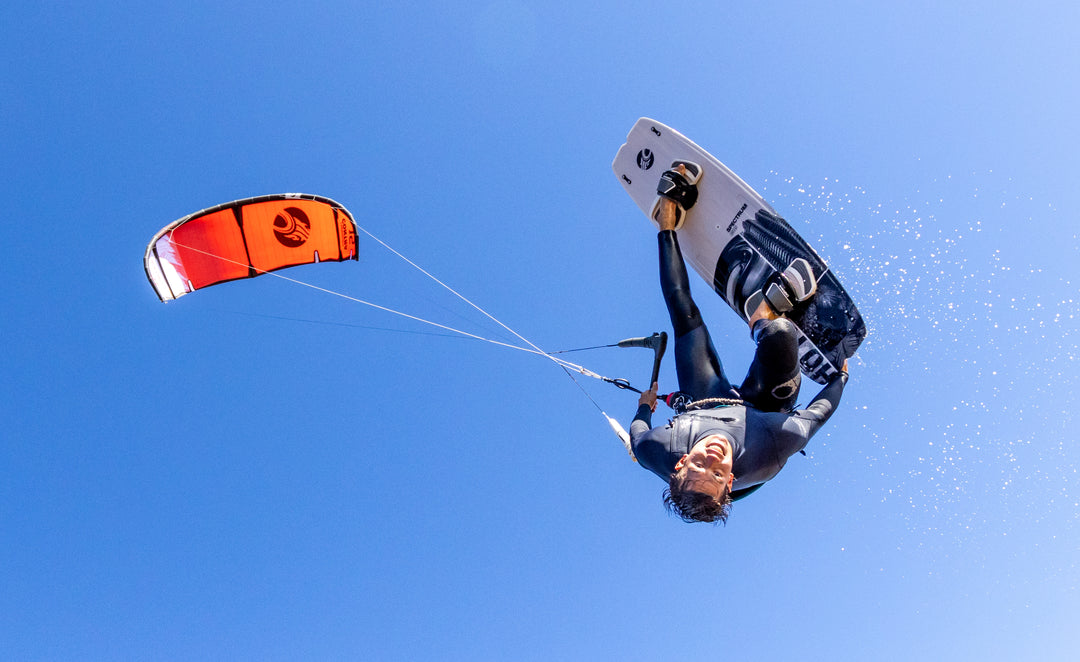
(700, 490)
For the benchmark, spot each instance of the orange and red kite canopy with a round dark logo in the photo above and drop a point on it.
(246, 239)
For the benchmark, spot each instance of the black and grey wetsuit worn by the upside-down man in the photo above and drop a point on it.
(765, 433)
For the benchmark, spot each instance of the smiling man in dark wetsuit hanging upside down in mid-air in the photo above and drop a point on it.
(724, 450)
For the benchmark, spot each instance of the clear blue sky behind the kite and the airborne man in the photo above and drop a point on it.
(262, 471)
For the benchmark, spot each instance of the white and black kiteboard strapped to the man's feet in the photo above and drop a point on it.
(737, 242)
